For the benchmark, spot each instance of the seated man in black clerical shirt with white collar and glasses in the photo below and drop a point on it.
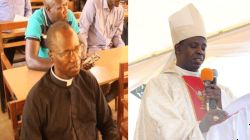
(67, 103)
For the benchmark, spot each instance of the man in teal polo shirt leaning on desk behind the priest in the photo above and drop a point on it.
(36, 50)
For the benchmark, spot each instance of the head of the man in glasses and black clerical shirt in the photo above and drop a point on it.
(66, 56)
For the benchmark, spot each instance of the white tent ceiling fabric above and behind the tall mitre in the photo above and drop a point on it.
(149, 28)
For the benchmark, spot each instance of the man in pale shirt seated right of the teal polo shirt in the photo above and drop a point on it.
(101, 25)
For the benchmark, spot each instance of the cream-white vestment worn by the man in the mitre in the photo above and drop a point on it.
(166, 111)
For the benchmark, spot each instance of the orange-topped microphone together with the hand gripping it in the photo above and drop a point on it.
(212, 91)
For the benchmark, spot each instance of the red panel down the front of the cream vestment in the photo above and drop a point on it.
(194, 84)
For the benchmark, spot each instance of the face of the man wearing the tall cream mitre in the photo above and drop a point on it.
(190, 53)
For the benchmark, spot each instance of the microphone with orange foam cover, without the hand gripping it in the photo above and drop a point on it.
(208, 77)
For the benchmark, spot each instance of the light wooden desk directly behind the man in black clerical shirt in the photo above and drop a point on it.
(20, 80)
